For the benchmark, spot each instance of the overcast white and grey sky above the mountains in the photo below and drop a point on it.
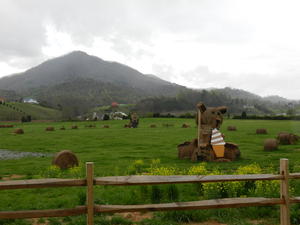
(246, 44)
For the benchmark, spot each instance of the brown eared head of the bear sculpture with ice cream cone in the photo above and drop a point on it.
(212, 116)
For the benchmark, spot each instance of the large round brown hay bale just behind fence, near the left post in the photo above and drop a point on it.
(65, 159)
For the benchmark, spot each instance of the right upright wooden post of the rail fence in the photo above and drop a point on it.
(284, 193)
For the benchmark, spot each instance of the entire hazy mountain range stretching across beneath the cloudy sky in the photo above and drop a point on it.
(77, 82)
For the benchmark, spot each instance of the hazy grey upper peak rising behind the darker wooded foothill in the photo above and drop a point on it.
(79, 65)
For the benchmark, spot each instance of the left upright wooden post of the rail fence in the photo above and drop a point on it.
(90, 193)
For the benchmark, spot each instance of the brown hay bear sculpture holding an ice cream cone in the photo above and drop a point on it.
(202, 148)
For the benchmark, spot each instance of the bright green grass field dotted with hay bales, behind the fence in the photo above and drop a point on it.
(115, 151)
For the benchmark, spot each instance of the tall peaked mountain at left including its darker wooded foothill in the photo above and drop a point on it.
(77, 81)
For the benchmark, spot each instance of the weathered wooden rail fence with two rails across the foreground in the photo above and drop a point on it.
(90, 208)
